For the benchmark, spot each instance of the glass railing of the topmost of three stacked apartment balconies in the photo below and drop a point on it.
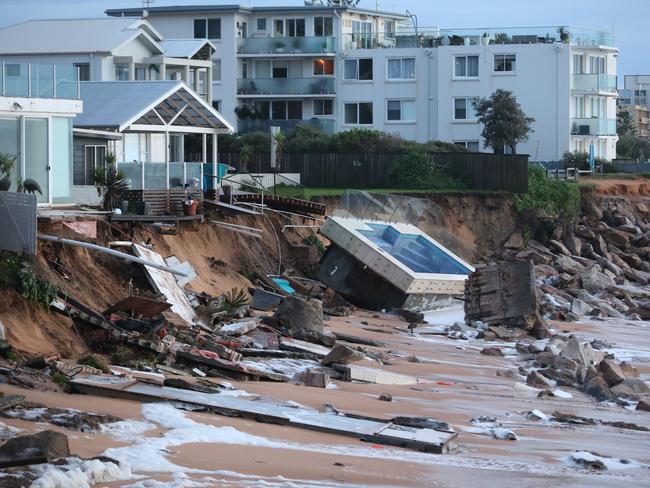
(264, 46)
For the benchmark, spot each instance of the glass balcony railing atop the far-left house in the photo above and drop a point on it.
(38, 81)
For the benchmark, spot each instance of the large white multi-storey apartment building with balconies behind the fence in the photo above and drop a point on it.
(339, 68)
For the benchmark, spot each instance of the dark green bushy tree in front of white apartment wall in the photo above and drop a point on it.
(504, 122)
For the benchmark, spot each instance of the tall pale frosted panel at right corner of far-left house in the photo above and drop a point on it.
(62, 160)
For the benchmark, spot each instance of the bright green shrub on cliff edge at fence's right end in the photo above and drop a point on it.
(559, 199)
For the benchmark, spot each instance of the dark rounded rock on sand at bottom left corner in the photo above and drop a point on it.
(47, 444)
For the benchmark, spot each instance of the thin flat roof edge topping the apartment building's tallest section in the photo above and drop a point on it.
(174, 9)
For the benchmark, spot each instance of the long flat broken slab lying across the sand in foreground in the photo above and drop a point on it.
(376, 431)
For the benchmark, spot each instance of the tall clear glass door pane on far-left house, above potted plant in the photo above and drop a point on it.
(36, 155)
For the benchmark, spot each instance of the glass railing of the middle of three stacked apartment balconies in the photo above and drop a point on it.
(286, 86)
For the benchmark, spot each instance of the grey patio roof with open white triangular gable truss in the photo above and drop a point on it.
(120, 104)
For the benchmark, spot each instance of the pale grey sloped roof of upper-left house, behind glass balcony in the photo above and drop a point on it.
(74, 35)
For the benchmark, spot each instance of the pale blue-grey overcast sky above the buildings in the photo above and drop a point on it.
(629, 20)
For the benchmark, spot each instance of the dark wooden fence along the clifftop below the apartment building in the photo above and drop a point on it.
(481, 171)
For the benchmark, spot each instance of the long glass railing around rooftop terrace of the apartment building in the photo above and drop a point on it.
(435, 37)
